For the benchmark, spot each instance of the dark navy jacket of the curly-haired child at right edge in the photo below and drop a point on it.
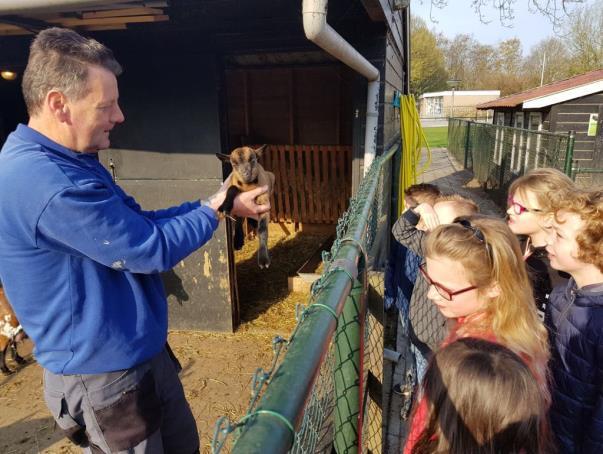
(575, 321)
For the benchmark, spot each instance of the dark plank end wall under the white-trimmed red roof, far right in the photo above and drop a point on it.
(574, 115)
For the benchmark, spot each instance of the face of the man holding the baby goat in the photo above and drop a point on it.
(94, 116)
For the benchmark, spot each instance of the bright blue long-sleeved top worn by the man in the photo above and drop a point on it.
(79, 259)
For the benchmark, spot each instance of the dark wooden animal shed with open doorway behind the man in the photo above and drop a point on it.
(202, 77)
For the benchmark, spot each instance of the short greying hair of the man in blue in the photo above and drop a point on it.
(59, 60)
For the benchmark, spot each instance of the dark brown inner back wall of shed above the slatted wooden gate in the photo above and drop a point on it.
(297, 105)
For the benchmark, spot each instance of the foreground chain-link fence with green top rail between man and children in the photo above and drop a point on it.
(325, 393)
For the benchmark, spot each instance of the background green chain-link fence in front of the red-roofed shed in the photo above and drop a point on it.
(498, 154)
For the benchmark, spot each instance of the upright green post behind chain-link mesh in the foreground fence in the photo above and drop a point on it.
(348, 373)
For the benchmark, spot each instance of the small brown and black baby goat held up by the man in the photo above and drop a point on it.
(248, 174)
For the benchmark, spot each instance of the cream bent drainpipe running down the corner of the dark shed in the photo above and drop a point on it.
(322, 34)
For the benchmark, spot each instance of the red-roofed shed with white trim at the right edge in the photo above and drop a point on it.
(574, 104)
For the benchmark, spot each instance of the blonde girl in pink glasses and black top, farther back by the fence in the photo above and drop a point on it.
(529, 207)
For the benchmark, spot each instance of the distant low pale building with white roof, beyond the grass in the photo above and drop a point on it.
(455, 103)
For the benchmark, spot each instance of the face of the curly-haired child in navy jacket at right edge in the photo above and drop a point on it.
(561, 242)
